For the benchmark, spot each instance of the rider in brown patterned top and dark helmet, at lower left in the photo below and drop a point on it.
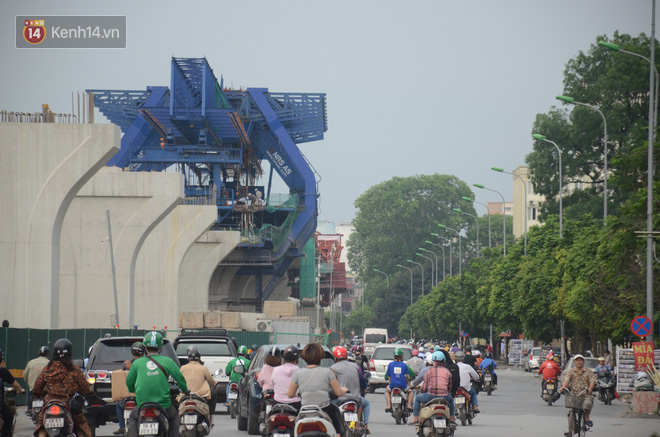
(60, 380)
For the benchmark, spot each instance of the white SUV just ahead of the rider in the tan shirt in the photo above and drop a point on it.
(217, 349)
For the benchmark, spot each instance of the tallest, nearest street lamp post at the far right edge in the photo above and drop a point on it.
(653, 122)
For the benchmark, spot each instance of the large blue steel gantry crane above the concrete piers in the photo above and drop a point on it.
(218, 138)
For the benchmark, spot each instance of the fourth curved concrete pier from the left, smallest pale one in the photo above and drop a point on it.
(198, 266)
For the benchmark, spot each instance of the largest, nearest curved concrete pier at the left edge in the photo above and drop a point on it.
(42, 167)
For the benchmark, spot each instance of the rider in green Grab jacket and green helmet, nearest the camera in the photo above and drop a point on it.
(148, 379)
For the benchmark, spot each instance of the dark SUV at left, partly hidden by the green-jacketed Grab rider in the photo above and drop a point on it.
(107, 355)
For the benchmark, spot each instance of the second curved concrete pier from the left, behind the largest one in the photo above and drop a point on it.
(137, 202)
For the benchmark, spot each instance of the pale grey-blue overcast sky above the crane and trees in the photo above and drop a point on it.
(413, 87)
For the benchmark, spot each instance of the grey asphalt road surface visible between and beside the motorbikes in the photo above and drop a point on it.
(515, 409)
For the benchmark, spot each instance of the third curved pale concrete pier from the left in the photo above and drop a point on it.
(159, 262)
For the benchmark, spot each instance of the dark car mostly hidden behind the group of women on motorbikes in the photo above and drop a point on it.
(249, 390)
